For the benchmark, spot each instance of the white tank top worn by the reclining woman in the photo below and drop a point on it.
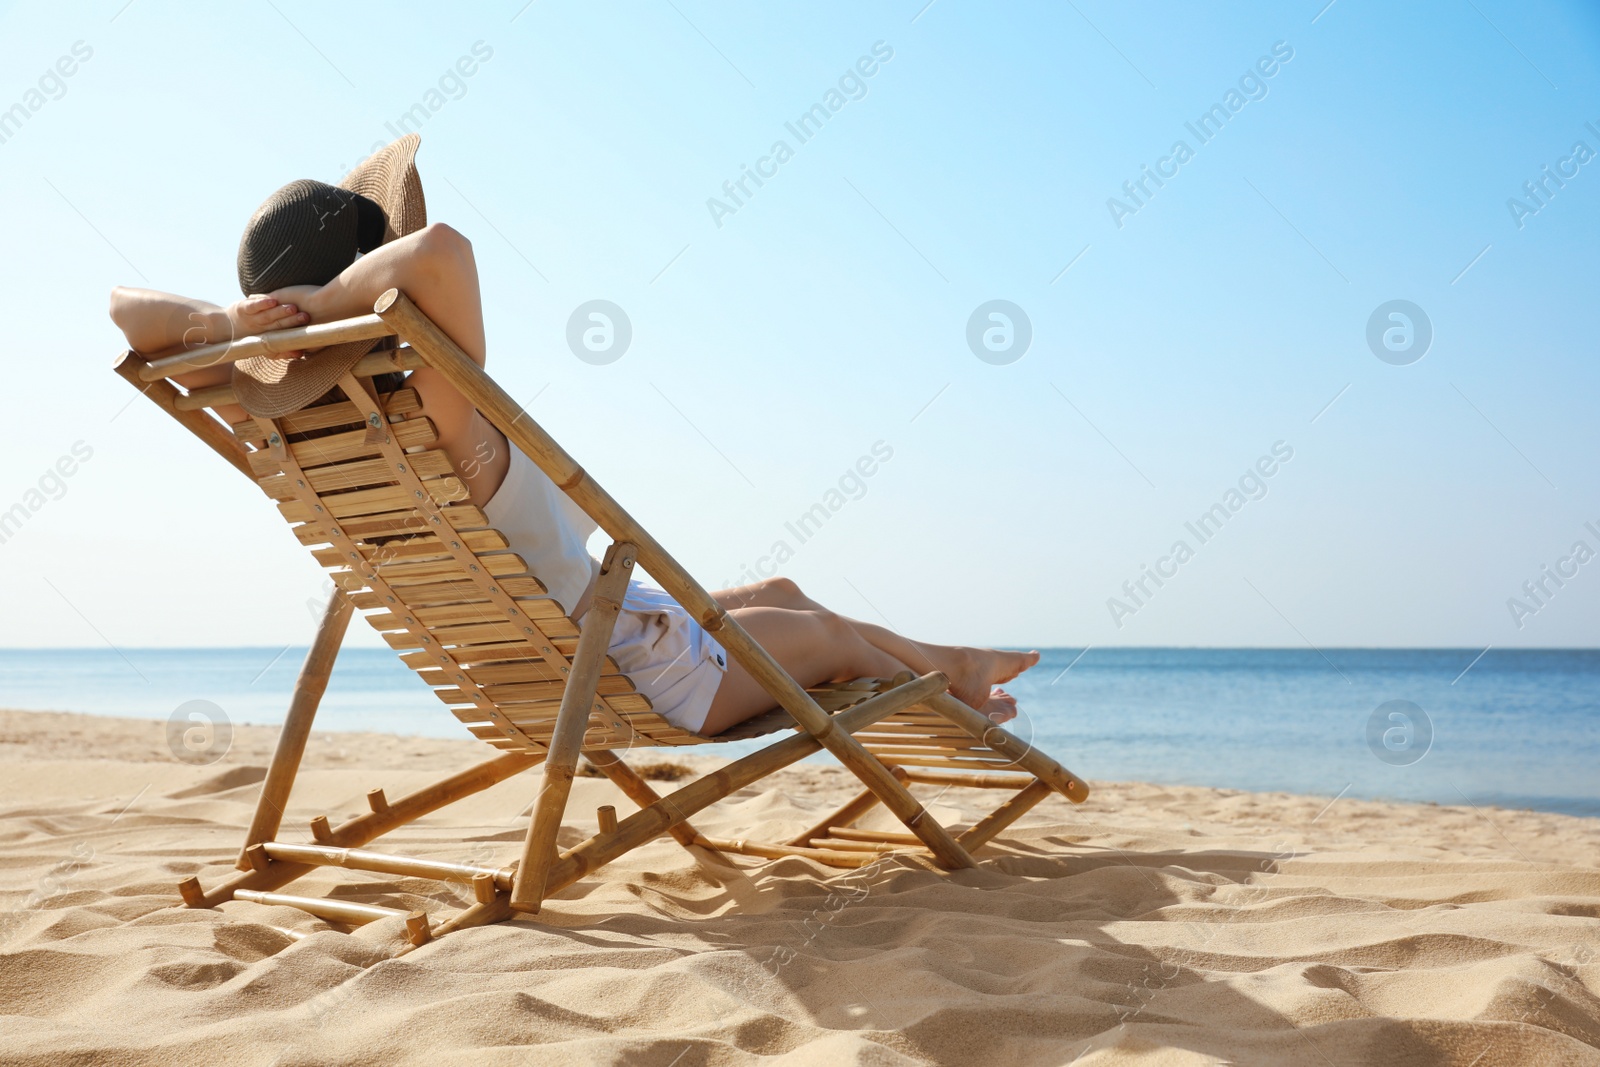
(545, 527)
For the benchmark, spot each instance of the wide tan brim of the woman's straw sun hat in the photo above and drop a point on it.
(271, 388)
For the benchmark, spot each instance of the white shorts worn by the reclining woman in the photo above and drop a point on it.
(668, 655)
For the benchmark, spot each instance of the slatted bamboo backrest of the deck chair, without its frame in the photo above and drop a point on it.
(367, 494)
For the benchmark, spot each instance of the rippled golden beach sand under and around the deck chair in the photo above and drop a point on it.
(1164, 925)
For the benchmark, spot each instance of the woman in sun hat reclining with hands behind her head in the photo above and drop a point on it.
(321, 254)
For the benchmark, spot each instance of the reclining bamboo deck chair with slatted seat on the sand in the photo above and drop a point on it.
(383, 511)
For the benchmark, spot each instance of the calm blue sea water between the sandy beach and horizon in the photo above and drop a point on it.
(1519, 729)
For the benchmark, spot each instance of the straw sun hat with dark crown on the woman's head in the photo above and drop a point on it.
(306, 234)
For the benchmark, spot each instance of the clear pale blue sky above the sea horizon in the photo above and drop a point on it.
(830, 311)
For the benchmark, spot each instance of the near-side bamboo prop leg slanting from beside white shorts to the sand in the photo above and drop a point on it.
(572, 721)
